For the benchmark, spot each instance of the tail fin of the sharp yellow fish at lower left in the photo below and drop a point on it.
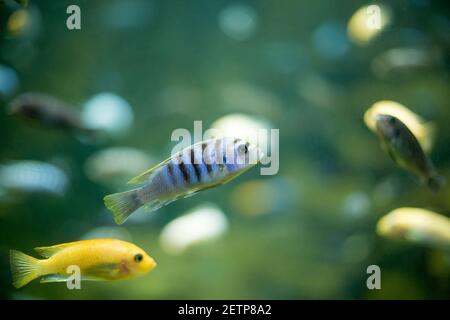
(24, 268)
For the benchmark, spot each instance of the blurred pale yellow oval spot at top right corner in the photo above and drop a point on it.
(368, 22)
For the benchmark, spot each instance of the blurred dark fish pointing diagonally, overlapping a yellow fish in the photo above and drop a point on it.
(403, 147)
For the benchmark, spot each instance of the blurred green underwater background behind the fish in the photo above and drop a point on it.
(307, 232)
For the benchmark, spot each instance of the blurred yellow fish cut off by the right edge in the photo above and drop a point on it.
(416, 225)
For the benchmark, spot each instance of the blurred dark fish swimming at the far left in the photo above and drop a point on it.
(50, 112)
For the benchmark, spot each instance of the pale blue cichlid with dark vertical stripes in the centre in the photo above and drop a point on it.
(200, 166)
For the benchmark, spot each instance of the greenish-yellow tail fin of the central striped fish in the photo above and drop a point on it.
(123, 204)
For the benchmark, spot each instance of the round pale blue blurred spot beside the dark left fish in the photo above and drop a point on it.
(109, 112)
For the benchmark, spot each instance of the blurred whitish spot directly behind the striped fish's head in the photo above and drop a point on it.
(243, 126)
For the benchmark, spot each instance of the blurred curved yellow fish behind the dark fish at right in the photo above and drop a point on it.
(423, 131)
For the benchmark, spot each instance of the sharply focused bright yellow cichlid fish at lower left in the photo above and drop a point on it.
(98, 260)
